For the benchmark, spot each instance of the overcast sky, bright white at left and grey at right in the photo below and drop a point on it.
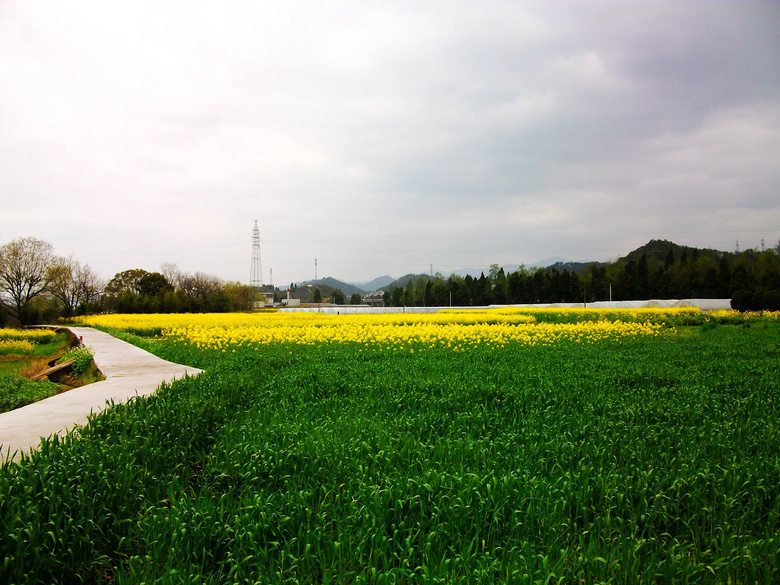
(386, 137)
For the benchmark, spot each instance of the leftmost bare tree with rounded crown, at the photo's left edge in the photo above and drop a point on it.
(24, 273)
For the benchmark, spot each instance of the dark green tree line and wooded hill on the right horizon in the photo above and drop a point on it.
(666, 271)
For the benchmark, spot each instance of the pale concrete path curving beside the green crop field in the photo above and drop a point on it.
(129, 371)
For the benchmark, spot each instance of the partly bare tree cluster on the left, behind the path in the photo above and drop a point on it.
(38, 286)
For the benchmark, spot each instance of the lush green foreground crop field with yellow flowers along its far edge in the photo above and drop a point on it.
(651, 456)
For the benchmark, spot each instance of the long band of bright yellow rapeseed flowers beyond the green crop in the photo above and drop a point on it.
(457, 330)
